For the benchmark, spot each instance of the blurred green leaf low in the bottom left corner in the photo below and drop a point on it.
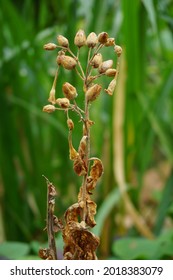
(14, 250)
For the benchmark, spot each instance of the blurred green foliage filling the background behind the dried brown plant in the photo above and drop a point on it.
(32, 143)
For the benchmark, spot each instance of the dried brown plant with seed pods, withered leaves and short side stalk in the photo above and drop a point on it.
(79, 242)
